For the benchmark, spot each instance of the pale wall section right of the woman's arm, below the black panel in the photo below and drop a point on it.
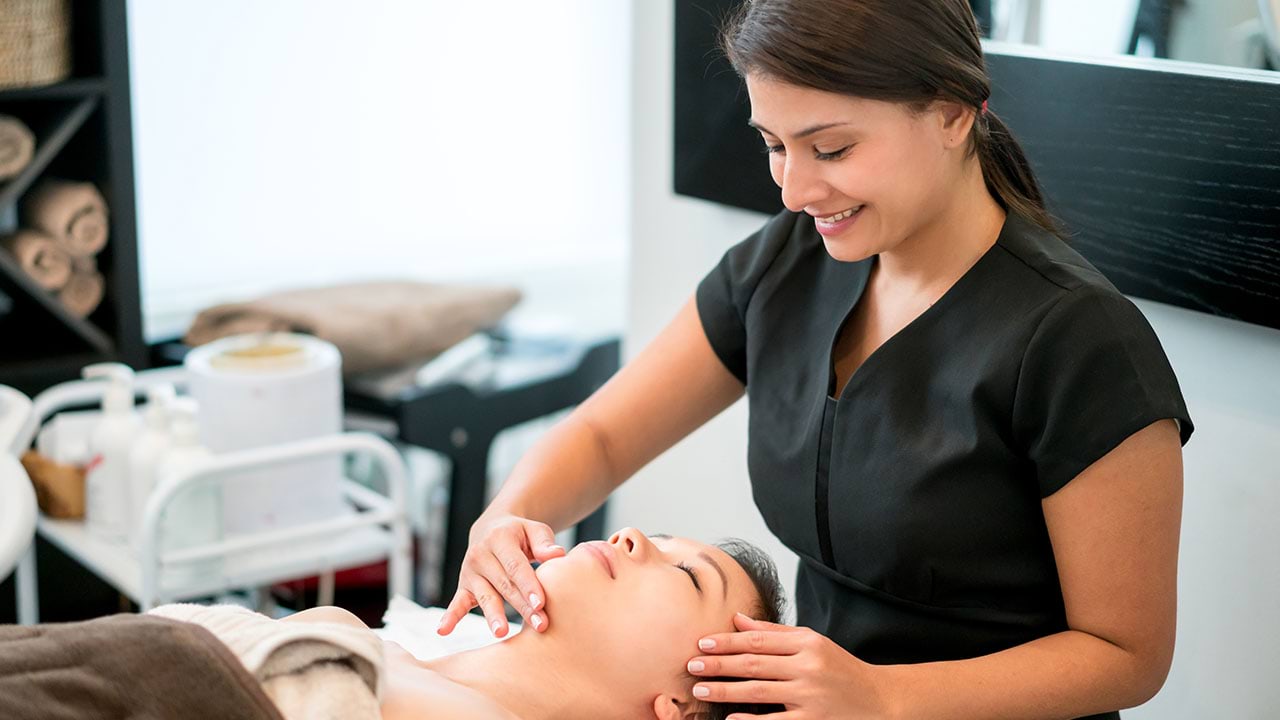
(1228, 654)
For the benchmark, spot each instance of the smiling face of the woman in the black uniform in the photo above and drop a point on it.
(833, 154)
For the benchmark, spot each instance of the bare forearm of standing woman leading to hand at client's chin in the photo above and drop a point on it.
(561, 480)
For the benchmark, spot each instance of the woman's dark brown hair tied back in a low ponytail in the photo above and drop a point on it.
(908, 52)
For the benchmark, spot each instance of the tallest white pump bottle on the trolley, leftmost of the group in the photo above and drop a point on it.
(107, 481)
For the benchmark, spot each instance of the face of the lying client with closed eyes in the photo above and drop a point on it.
(637, 607)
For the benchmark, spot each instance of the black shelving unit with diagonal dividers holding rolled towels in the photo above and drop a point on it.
(84, 133)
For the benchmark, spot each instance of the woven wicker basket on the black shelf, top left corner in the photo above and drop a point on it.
(35, 43)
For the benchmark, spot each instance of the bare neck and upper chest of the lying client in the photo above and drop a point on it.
(536, 678)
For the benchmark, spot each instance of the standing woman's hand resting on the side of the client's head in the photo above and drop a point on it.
(803, 671)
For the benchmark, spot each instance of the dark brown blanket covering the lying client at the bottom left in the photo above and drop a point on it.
(127, 668)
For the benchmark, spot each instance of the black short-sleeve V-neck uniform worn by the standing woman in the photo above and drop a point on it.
(915, 498)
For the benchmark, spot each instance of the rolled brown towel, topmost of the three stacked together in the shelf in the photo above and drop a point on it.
(72, 213)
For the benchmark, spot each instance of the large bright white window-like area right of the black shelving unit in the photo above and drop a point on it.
(313, 142)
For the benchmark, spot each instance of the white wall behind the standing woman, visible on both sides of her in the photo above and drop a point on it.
(1229, 622)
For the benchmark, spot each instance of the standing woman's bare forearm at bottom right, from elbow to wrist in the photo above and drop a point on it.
(1064, 676)
